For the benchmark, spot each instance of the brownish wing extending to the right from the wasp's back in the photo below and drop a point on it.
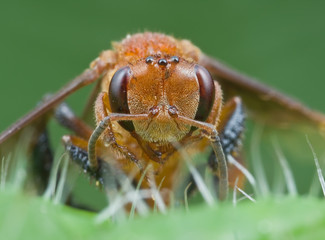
(261, 101)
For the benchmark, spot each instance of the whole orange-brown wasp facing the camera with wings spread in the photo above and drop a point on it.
(157, 95)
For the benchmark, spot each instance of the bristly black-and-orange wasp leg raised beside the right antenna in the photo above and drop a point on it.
(231, 128)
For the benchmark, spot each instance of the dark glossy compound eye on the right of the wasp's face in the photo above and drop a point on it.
(207, 93)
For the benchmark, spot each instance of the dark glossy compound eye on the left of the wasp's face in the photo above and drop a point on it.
(117, 95)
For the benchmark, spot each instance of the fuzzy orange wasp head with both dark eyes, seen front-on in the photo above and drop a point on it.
(164, 88)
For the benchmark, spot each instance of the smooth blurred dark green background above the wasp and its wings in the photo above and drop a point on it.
(46, 43)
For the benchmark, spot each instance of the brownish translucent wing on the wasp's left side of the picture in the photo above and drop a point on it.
(24, 135)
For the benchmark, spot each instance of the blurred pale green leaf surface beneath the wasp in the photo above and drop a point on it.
(25, 217)
